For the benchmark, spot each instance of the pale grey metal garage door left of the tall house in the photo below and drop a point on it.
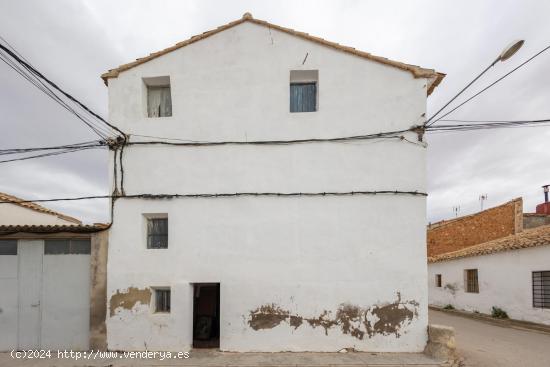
(45, 294)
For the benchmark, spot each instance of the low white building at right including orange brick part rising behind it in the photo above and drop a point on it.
(509, 270)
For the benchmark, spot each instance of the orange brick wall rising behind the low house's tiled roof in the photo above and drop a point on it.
(490, 224)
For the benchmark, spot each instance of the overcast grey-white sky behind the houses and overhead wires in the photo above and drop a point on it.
(73, 42)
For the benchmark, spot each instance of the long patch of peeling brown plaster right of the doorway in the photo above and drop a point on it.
(385, 319)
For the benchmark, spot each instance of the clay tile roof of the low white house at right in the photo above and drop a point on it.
(539, 236)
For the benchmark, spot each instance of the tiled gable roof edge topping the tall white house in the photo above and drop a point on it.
(434, 77)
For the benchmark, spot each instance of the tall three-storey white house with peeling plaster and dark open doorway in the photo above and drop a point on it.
(249, 218)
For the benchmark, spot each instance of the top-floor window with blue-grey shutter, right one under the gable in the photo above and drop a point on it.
(303, 90)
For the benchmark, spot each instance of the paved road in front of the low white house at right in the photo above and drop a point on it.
(486, 345)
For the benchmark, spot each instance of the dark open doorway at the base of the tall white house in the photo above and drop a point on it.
(206, 315)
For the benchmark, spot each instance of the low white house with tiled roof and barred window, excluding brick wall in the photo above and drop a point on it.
(511, 273)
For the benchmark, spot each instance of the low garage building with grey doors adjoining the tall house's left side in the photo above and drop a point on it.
(52, 278)
